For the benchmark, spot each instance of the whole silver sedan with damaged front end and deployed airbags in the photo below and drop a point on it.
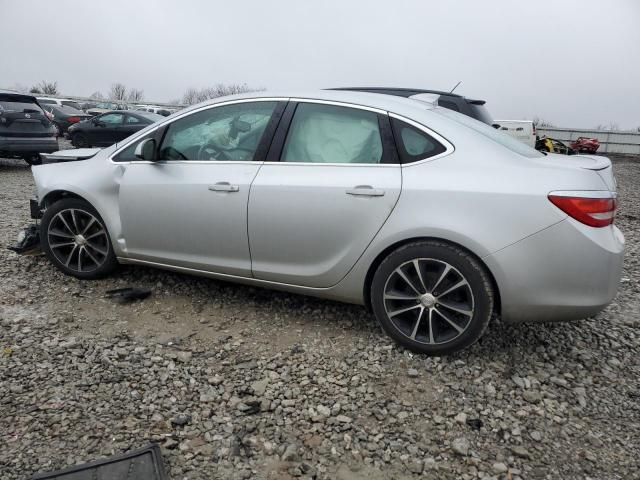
(433, 220)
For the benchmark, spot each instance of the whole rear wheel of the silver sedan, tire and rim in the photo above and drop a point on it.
(415, 310)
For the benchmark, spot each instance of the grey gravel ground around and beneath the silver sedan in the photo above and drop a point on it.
(239, 382)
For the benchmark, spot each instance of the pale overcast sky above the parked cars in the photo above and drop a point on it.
(572, 62)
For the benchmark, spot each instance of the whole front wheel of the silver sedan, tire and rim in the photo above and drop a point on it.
(76, 240)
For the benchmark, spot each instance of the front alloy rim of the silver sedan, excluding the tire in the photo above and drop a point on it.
(78, 240)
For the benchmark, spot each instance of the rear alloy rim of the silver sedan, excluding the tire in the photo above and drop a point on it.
(429, 301)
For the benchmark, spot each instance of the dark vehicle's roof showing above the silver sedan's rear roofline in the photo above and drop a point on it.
(472, 108)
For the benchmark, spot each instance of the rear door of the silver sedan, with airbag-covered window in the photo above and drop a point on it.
(330, 182)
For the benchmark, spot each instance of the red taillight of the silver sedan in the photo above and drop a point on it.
(595, 212)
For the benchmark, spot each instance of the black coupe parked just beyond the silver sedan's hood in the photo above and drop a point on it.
(109, 128)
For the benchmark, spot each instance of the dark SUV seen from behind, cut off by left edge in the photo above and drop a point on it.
(25, 129)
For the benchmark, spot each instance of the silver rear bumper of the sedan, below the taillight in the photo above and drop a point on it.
(566, 272)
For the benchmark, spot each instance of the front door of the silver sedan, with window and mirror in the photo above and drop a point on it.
(189, 208)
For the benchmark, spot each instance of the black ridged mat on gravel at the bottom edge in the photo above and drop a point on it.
(143, 464)
